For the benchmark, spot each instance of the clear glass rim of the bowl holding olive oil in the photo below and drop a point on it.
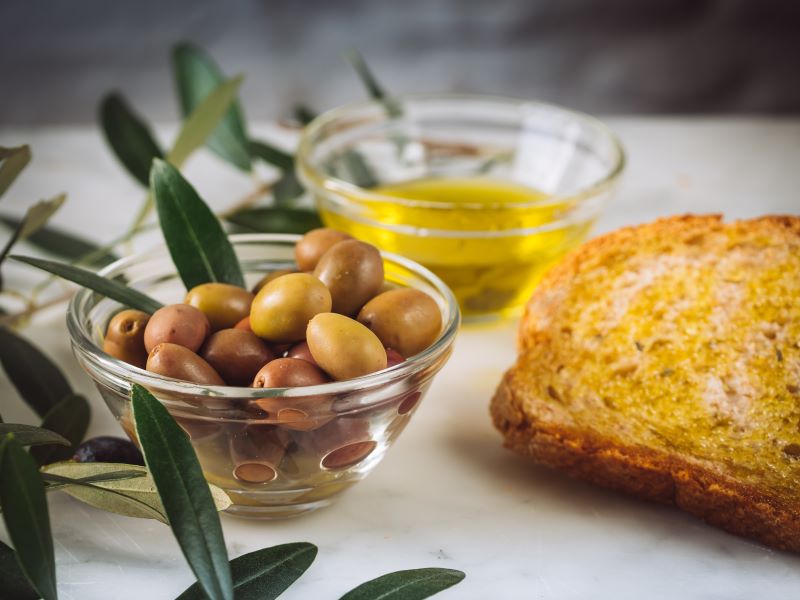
(314, 179)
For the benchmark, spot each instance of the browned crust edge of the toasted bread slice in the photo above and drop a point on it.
(529, 428)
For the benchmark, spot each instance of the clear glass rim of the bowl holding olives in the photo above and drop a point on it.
(85, 345)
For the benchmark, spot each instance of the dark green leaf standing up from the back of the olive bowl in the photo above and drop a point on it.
(199, 247)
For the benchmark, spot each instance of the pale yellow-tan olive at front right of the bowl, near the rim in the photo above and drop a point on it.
(343, 347)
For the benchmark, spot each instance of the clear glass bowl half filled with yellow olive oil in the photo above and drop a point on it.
(486, 192)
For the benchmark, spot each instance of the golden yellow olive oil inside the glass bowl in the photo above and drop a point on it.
(489, 240)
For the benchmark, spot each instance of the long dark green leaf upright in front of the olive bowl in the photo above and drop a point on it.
(184, 492)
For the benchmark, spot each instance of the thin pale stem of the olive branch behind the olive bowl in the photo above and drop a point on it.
(137, 227)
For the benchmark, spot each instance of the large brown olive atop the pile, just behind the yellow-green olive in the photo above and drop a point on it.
(353, 272)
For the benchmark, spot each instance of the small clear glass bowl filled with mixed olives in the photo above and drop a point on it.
(292, 390)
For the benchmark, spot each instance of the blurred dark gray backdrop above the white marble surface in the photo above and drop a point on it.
(601, 56)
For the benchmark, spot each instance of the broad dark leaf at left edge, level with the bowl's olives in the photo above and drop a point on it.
(37, 379)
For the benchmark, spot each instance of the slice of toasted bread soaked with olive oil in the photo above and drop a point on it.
(664, 361)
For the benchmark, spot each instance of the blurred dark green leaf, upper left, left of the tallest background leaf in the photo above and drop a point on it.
(129, 137)
